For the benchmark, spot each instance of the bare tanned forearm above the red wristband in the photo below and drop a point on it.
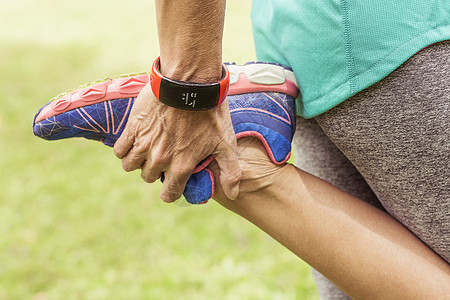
(190, 38)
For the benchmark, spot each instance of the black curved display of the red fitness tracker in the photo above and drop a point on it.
(187, 95)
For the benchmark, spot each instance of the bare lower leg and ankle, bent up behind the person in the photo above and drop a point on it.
(363, 250)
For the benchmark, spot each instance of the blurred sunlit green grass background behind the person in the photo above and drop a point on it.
(73, 225)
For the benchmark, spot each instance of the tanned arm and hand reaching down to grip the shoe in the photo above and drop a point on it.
(161, 139)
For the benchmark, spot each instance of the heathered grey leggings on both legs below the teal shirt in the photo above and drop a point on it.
(390, 146)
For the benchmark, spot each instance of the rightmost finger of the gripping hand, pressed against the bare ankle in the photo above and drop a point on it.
(230, 173)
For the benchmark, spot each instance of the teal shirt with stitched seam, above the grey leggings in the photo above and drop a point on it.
(340, 47)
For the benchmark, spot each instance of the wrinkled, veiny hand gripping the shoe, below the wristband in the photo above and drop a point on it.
(159, 138)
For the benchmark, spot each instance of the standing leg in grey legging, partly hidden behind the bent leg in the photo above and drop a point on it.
(317, 155)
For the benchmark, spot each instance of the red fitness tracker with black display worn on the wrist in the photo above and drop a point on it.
(188, 95)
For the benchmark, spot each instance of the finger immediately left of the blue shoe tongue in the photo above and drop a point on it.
(175, 181)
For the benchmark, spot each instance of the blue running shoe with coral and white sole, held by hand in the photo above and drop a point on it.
(261, 100)
